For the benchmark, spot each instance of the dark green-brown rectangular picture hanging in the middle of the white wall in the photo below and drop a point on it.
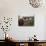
(25, 20)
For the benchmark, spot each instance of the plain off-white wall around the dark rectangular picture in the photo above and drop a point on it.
(14, 8)
